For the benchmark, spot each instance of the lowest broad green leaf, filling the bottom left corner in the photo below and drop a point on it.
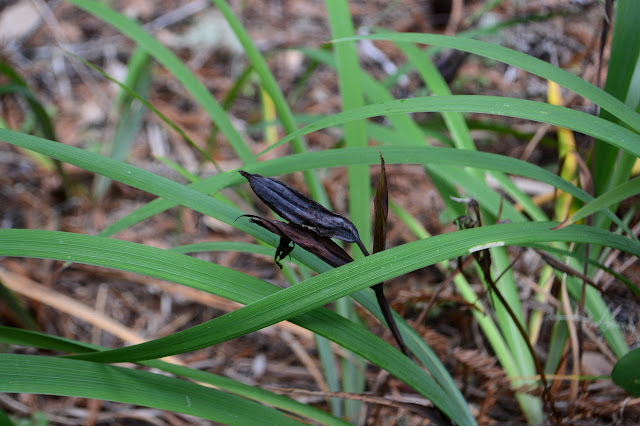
(57, 376)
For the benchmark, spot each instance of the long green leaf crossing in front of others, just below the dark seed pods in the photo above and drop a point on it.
(342, 281)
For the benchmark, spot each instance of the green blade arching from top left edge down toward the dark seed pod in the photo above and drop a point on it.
(175, 66)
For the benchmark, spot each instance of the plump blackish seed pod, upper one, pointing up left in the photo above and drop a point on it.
(298, 208)
